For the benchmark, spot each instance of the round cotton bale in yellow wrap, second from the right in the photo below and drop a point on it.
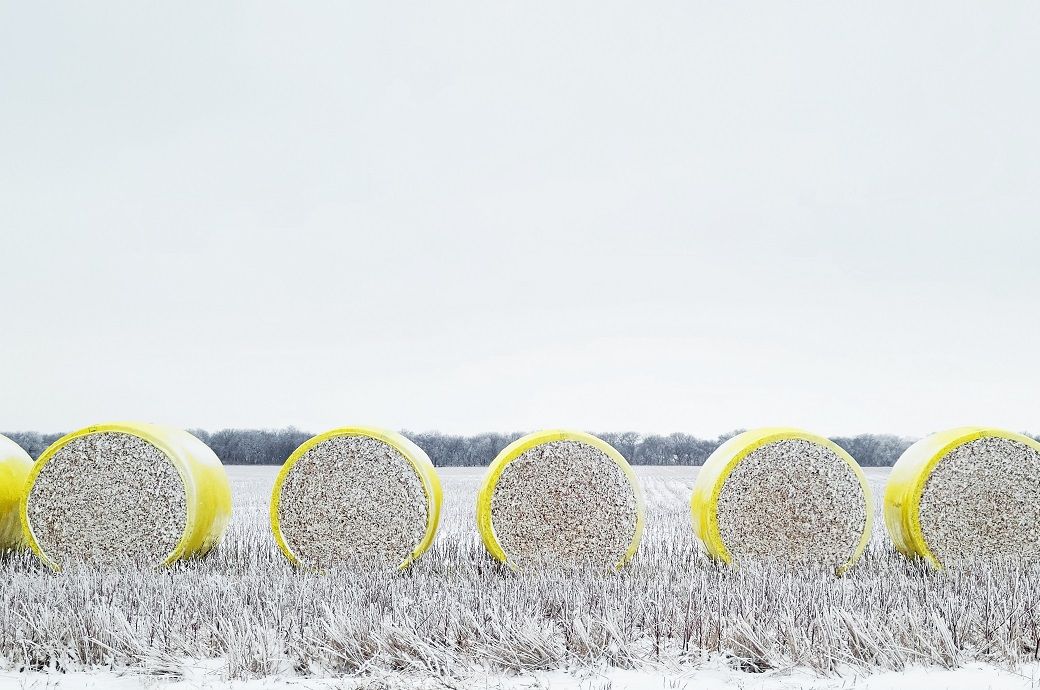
(783, 497)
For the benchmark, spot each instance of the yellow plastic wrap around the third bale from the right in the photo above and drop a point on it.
(522, 446)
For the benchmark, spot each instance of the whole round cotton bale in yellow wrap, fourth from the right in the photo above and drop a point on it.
(356, 497)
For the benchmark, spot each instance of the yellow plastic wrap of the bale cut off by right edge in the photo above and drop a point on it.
(906, 484)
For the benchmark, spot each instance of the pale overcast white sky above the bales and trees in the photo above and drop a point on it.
(495, 216)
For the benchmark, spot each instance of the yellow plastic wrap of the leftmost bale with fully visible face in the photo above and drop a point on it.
(206, 487)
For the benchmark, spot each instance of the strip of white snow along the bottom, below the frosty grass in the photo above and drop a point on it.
(969, 678)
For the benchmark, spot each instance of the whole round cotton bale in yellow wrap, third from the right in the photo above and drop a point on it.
(561, 498)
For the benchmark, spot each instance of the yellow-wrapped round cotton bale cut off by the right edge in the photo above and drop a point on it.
(966, 496)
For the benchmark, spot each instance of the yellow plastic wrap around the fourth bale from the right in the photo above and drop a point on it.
(421, 463)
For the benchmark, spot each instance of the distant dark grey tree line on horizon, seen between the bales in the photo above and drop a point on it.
(267, 447)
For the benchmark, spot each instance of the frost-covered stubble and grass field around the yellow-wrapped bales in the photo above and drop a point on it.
(246, 612)
